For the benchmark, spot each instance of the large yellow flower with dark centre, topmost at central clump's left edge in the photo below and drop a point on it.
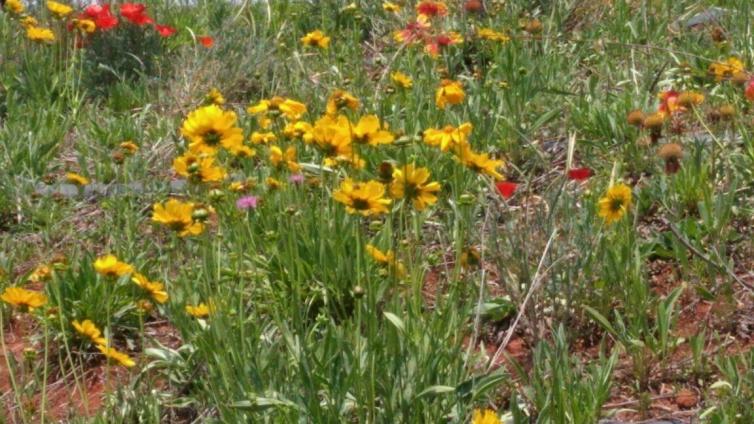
(210, 127)
